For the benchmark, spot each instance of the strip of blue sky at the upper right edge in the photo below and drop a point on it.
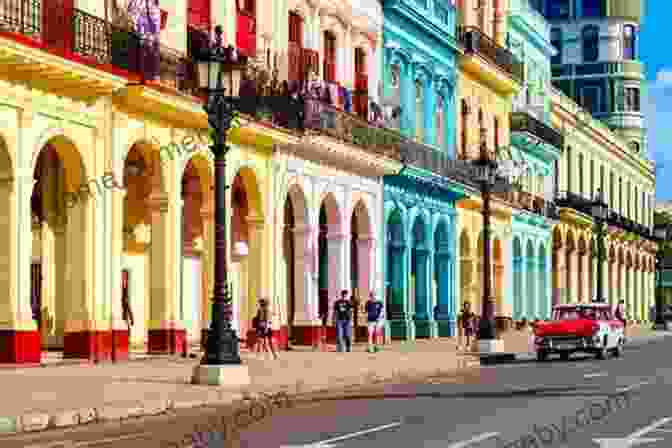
(657, 104)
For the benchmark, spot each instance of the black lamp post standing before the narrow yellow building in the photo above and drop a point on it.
(487, 178)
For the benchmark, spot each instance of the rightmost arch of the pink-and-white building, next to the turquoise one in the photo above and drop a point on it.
(360, 261)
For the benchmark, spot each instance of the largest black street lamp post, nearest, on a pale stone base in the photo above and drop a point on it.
(221, 363)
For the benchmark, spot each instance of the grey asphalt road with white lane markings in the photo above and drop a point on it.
(569, 404)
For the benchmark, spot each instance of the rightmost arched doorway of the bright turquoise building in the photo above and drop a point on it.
(443, 276)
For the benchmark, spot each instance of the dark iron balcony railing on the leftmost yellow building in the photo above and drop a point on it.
(93, 40)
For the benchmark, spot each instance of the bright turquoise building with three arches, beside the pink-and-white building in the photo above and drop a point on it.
(419, 84)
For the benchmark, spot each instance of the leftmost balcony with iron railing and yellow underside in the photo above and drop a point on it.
(40, 43)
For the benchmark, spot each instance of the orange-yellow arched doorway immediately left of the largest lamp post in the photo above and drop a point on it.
(197, 214)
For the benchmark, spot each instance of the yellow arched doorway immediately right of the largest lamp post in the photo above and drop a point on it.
(247, 264)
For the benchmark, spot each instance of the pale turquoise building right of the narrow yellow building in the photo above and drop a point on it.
(534, 140)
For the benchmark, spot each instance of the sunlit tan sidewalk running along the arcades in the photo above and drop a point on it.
(66, 394)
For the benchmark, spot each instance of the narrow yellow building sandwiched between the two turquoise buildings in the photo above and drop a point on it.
(489, 76)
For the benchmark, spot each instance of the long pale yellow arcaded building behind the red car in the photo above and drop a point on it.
(595, 159)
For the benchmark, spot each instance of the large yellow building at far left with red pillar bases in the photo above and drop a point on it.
(105, 157)
